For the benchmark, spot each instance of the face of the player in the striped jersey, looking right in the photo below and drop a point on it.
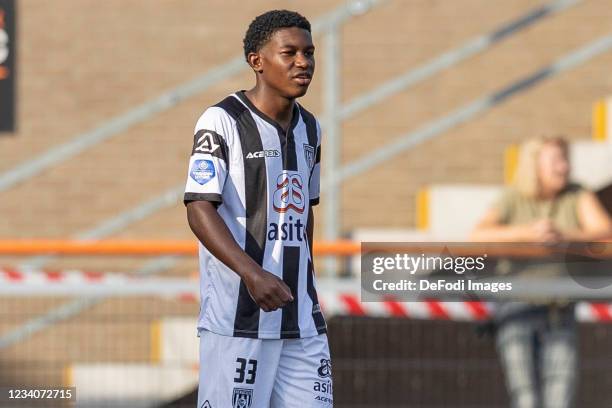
(287, 62)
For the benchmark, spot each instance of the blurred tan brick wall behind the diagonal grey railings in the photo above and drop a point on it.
(81, 63)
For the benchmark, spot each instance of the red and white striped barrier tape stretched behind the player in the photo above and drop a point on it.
(335, 299)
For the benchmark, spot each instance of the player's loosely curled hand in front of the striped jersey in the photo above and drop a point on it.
(267, 290)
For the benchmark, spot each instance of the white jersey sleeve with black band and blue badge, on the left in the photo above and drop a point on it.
(209, 161)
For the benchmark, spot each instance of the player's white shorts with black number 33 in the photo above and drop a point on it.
(256, 373)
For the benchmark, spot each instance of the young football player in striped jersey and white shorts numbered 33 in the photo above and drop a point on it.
(253, 178)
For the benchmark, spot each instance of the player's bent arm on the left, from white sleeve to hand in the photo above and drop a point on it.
(208, 168)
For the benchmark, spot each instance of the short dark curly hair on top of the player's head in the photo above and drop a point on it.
(262, 27)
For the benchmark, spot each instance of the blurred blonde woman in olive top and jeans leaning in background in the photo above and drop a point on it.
(537, 341)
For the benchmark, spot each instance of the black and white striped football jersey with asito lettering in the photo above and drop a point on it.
(264, 180)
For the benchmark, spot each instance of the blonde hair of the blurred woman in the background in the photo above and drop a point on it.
(526, 176)
